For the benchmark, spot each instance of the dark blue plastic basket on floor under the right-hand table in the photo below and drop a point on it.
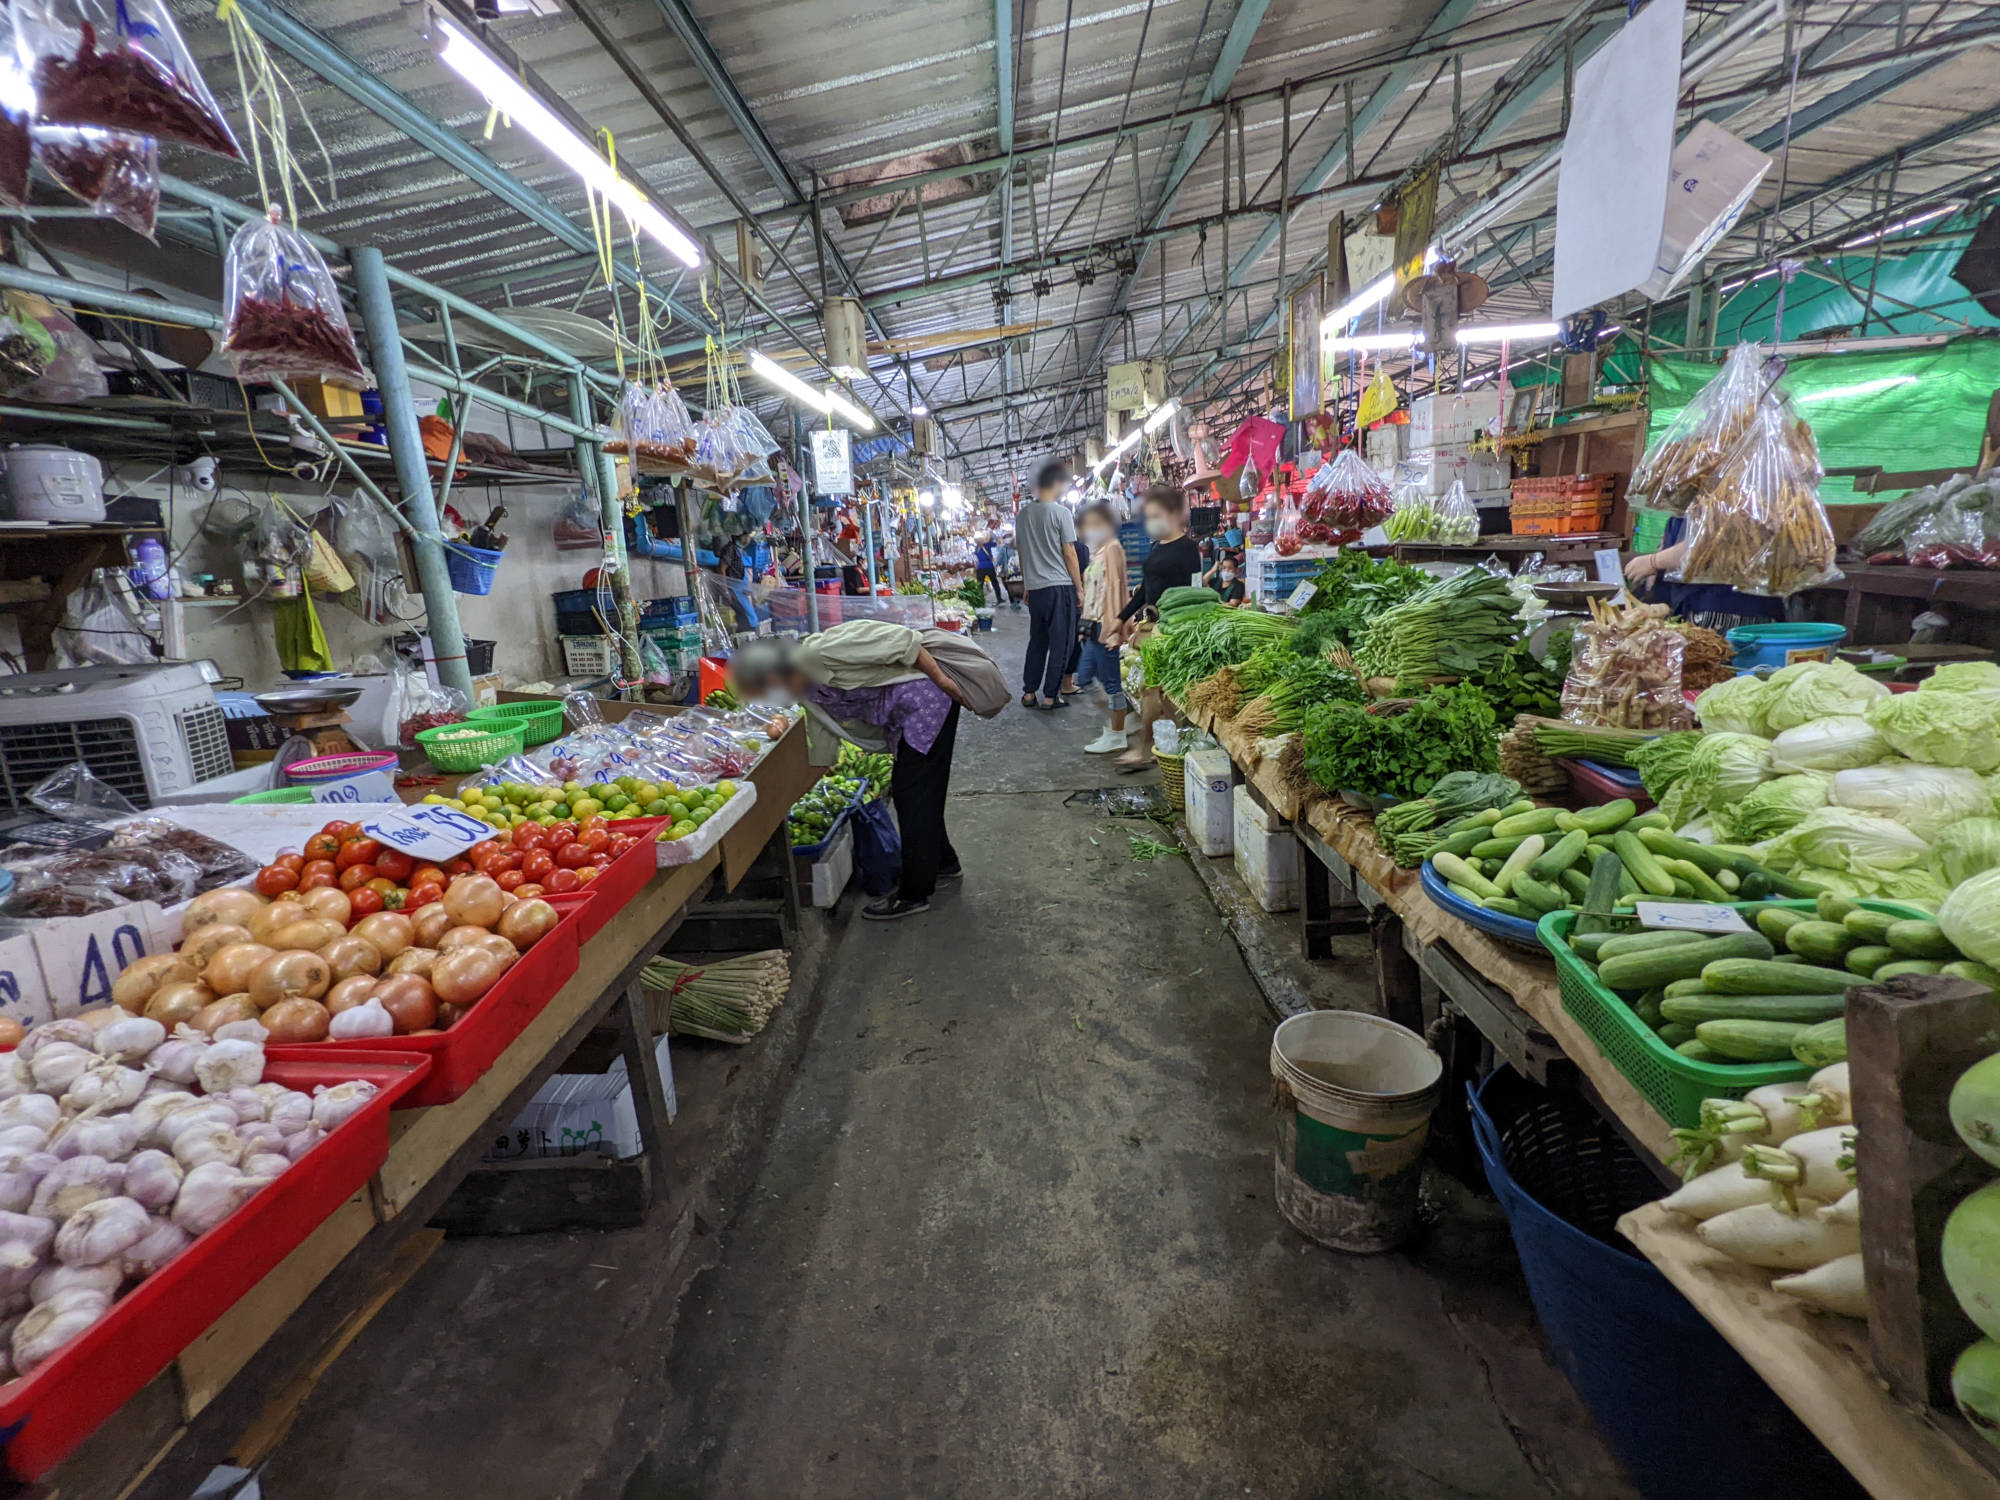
(1647, 1365)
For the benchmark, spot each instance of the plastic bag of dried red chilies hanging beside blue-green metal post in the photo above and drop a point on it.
(283, 315)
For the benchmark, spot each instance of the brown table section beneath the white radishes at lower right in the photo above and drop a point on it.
(1819, 1367)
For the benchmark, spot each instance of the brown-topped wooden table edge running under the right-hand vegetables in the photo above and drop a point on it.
(1817, 1365)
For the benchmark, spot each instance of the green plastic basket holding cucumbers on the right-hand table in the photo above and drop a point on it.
(1671, 1083)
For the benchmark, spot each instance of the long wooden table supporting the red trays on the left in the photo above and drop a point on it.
(267, 1349)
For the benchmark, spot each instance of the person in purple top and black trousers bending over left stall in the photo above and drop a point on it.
(879, 675)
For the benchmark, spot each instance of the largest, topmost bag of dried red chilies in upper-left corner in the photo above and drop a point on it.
(119, 65)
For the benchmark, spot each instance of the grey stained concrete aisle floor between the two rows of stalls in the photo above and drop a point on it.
(1013, 1235)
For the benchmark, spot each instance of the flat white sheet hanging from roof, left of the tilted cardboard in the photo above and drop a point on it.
(1617, 157)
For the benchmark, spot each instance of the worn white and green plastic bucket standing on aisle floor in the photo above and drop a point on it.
(1355, 1097)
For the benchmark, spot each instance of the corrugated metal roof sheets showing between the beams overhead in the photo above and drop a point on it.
(855, 85)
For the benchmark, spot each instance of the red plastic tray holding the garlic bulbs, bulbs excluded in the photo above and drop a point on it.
(67, 1399)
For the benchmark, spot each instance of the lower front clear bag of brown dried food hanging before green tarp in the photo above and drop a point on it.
(1761, 527)
